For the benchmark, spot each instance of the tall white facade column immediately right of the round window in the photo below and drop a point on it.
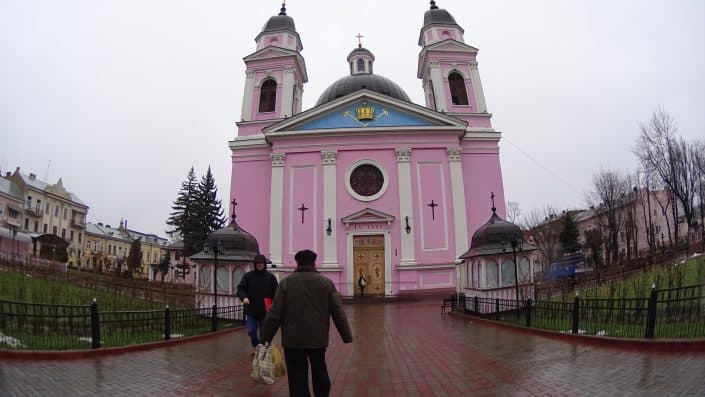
(408, 257)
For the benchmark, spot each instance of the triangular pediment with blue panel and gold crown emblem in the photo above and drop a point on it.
(365, 109)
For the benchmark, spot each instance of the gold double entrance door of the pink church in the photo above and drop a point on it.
(368, 261)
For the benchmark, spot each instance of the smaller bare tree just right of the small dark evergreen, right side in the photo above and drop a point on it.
(609, 196)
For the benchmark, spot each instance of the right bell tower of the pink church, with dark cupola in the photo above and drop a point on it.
(448, 67)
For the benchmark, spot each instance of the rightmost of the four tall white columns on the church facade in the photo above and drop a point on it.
(458, 193)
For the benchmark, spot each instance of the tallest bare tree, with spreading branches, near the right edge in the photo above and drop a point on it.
(661, 151)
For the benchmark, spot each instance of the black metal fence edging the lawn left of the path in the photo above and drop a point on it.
(62, 327)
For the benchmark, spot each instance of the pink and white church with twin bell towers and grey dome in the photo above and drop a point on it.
(377, 185)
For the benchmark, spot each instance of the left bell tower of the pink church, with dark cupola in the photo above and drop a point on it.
(276, 72)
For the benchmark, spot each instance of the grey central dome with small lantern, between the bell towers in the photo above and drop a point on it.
(361, 78)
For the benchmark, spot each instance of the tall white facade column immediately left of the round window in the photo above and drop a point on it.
(330, 254)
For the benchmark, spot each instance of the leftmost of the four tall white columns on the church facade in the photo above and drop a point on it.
(276, 208)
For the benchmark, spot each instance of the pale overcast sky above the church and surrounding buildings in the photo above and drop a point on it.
(120, 98)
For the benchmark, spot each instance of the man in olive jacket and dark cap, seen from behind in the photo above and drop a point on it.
(304, 303)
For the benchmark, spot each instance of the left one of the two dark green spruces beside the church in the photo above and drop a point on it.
(184, 216)
